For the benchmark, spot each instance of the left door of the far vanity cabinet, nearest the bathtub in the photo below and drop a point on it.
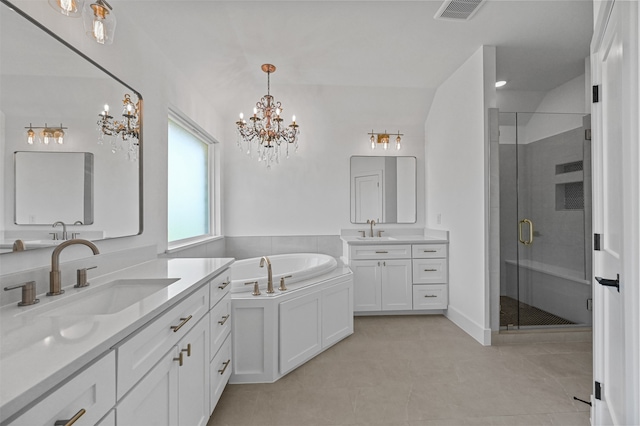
(366, 285)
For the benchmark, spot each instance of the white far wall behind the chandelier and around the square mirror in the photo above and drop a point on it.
(309, 194)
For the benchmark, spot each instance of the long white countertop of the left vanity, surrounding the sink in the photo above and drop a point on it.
(39, 352)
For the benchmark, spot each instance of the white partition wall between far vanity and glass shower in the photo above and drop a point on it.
(456, 134)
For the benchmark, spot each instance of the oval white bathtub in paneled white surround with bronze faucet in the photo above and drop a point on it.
(275, 333)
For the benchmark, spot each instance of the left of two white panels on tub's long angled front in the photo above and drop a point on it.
(300, 330)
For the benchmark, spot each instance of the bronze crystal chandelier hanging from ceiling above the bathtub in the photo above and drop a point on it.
(266, 130)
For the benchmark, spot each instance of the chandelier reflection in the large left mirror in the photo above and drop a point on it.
(125, 133)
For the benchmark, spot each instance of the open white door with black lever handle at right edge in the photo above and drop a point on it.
(615, 216)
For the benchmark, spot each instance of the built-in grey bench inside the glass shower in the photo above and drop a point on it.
(560, 291)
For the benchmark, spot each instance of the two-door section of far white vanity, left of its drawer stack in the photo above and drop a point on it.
(382, 277)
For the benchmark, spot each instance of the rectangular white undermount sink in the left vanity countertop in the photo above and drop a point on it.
(109, 298)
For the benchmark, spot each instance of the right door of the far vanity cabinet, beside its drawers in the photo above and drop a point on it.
(397, 293)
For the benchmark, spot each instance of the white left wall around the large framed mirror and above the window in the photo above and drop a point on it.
(138, 62)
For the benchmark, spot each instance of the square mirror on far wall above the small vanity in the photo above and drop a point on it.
(383, 189)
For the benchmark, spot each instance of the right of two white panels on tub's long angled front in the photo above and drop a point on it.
(337, 313)
